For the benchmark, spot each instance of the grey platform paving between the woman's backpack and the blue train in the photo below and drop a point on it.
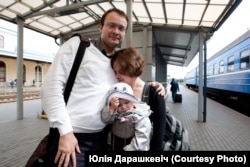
(224, 129)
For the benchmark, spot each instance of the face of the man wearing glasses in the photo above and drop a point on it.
(113, 31)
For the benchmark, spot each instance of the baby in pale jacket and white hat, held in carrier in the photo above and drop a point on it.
(129, 118)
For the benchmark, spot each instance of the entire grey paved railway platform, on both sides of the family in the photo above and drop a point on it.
(224, 129)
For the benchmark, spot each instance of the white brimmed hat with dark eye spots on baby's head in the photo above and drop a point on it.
(122, 90)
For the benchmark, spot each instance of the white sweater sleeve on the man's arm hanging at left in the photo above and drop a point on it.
(54, 84)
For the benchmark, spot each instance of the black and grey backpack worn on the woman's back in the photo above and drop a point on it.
(176, 136)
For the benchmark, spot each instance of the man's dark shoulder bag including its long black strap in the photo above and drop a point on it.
(40, 156)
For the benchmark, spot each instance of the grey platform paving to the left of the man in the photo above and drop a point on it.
(18, 138)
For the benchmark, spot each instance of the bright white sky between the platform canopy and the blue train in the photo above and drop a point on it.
(236, 25)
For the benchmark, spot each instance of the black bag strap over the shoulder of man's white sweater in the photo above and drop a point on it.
(78, 59)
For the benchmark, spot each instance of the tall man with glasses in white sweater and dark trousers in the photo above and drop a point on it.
(79, 122)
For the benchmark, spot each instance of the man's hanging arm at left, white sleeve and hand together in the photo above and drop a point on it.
(54, 104)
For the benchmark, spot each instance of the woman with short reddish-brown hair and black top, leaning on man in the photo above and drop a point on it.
(128, 65)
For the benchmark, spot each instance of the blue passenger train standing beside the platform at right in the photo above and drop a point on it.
(228, 72)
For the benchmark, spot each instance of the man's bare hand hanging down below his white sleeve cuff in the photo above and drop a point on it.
(67, 148)
